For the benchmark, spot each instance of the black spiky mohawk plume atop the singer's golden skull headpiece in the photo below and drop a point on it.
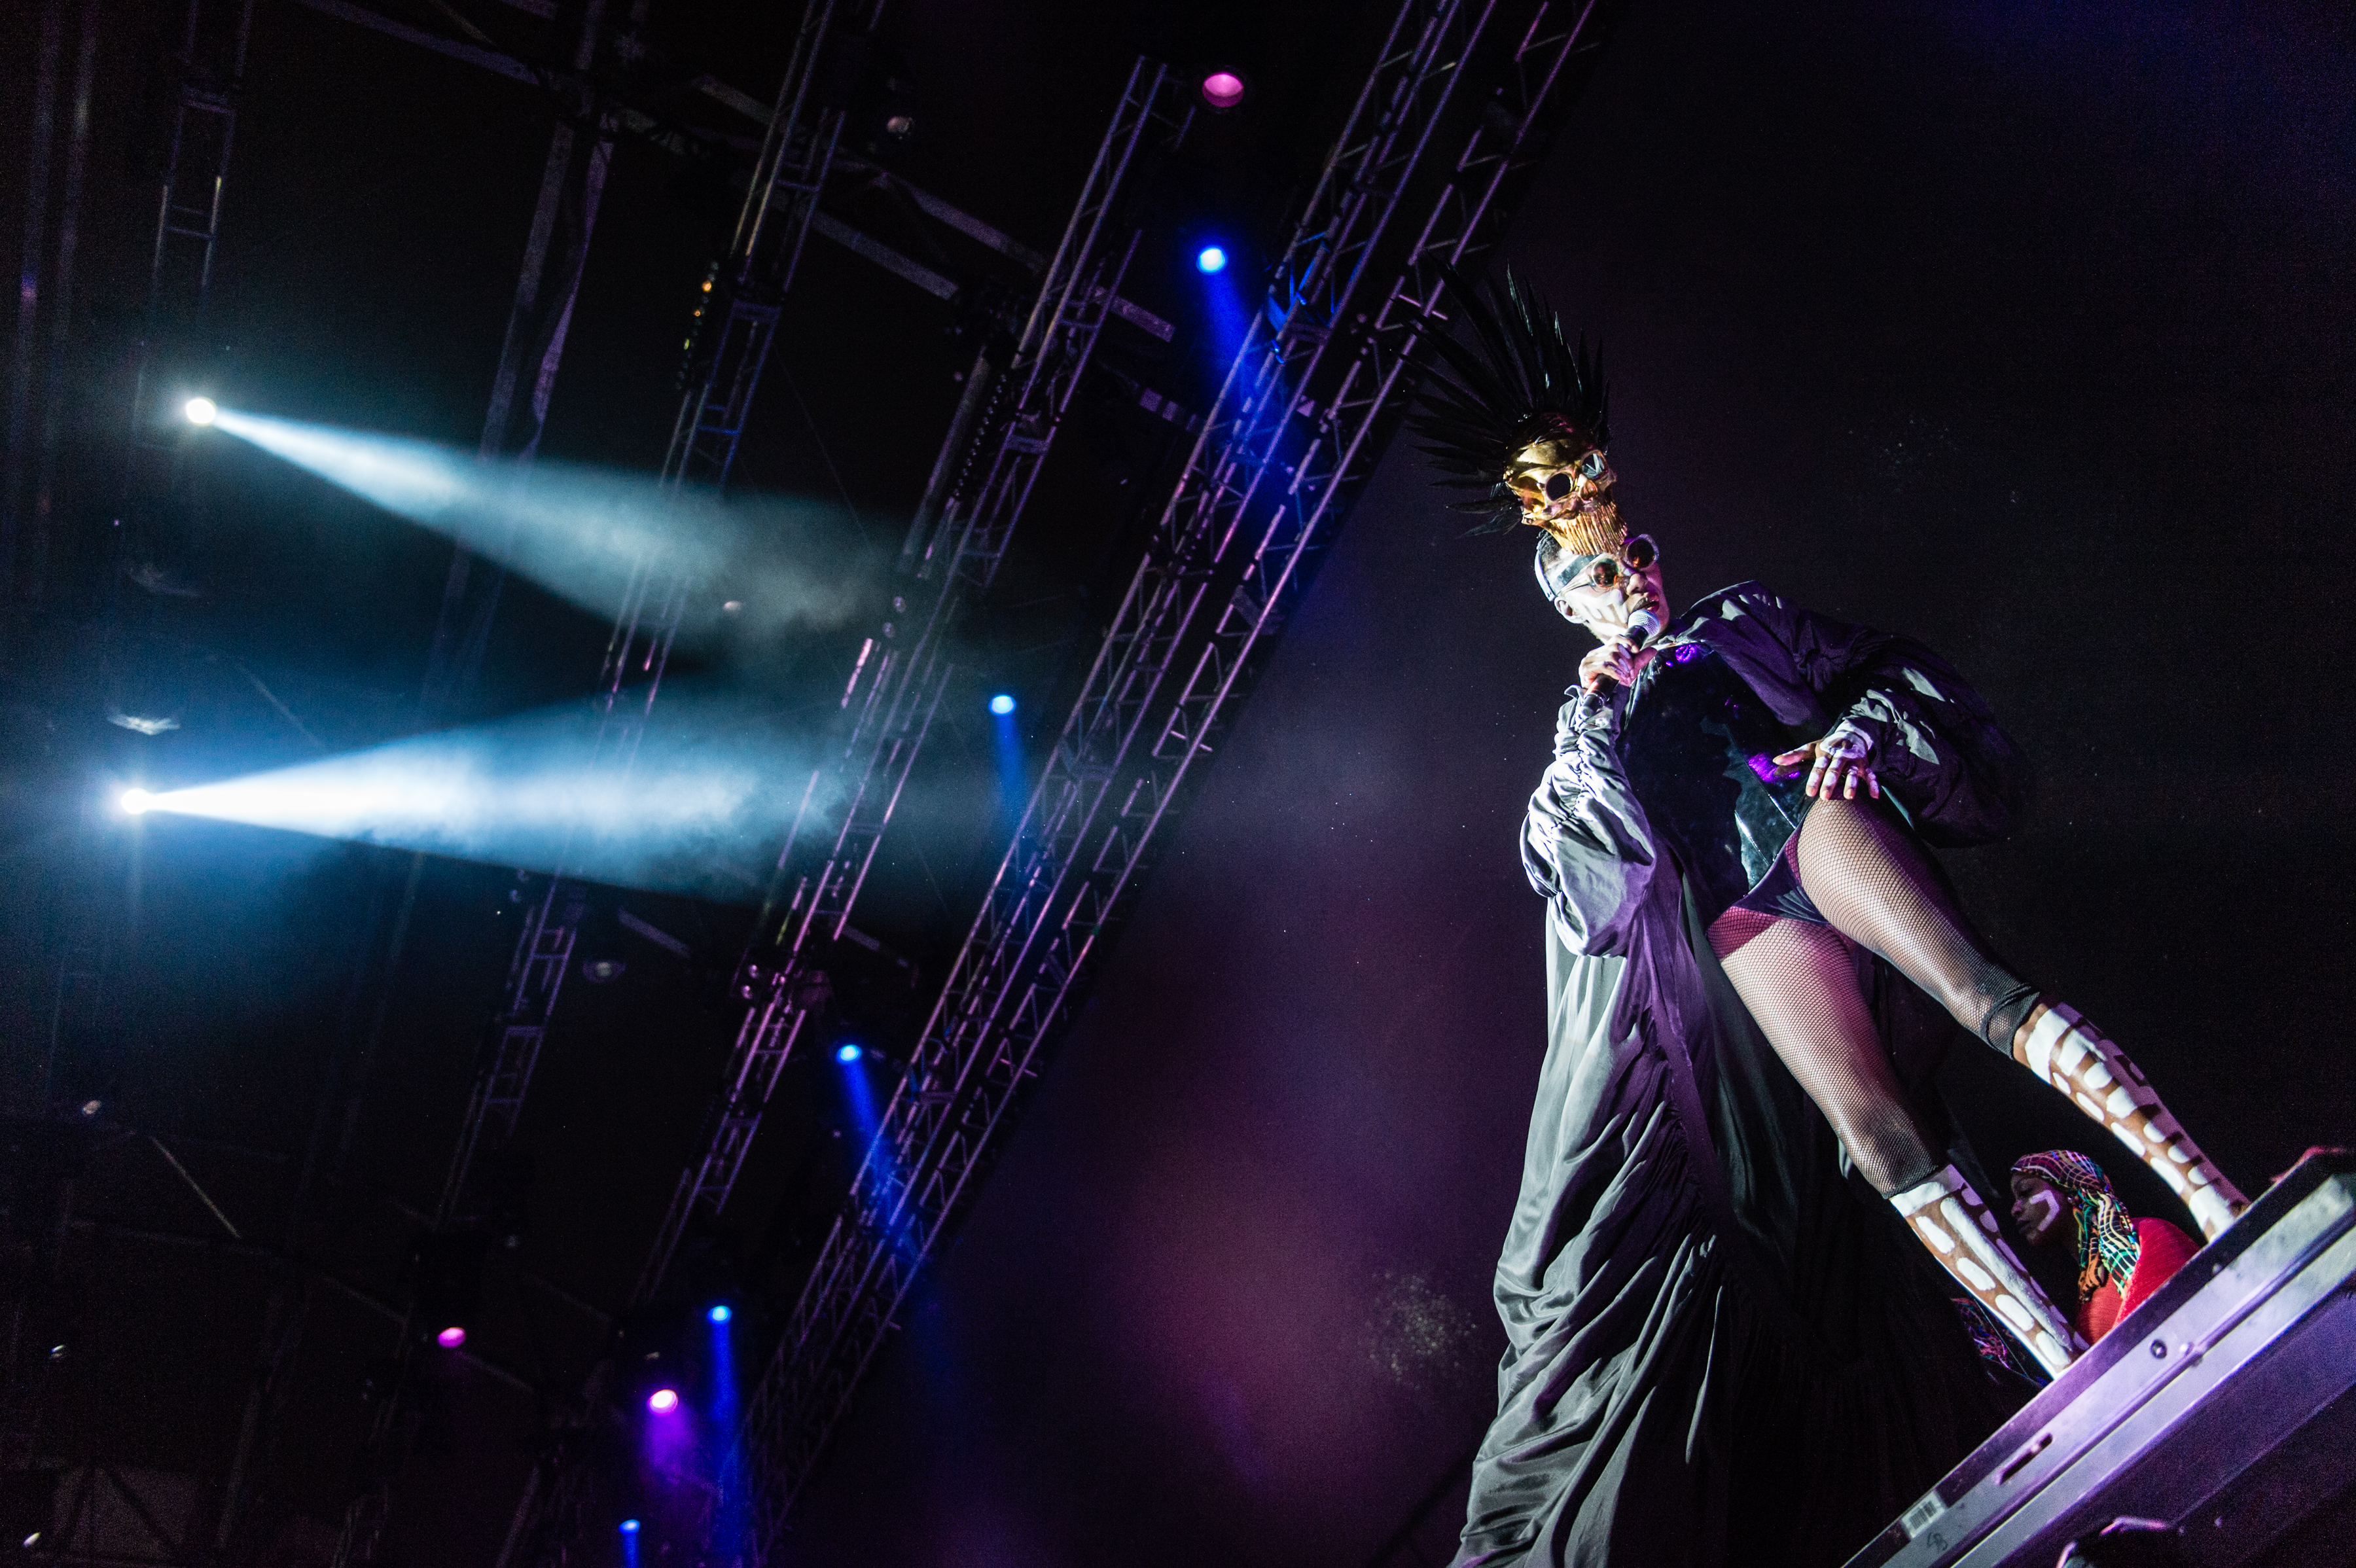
(1518, 383)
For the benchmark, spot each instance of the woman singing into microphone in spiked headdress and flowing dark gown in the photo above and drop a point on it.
(1738, 802)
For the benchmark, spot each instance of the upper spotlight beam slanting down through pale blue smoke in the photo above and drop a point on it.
(583, 533)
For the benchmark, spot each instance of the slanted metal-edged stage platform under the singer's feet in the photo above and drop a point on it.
(2225, 1404)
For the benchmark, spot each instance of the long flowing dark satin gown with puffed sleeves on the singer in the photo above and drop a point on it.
(1723, 1348)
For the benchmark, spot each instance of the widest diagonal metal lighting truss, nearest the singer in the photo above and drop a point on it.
(1422, 175)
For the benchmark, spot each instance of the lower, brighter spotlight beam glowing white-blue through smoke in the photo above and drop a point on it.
(701, 809)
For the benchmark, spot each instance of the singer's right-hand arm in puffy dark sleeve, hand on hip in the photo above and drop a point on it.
(1921, 726)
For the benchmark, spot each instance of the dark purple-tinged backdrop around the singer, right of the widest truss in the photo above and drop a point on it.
(2025, 331)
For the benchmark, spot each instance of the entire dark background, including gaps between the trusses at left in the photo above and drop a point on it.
(2025, 331)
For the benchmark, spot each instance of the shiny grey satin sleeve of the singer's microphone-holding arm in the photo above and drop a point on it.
(1587, 844)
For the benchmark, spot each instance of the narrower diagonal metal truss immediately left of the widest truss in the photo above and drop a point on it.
(899, 679)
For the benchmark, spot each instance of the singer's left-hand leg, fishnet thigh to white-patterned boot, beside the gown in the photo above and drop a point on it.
(1799, 983)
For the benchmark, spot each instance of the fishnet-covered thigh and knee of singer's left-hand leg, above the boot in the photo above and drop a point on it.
(1801, 988)
